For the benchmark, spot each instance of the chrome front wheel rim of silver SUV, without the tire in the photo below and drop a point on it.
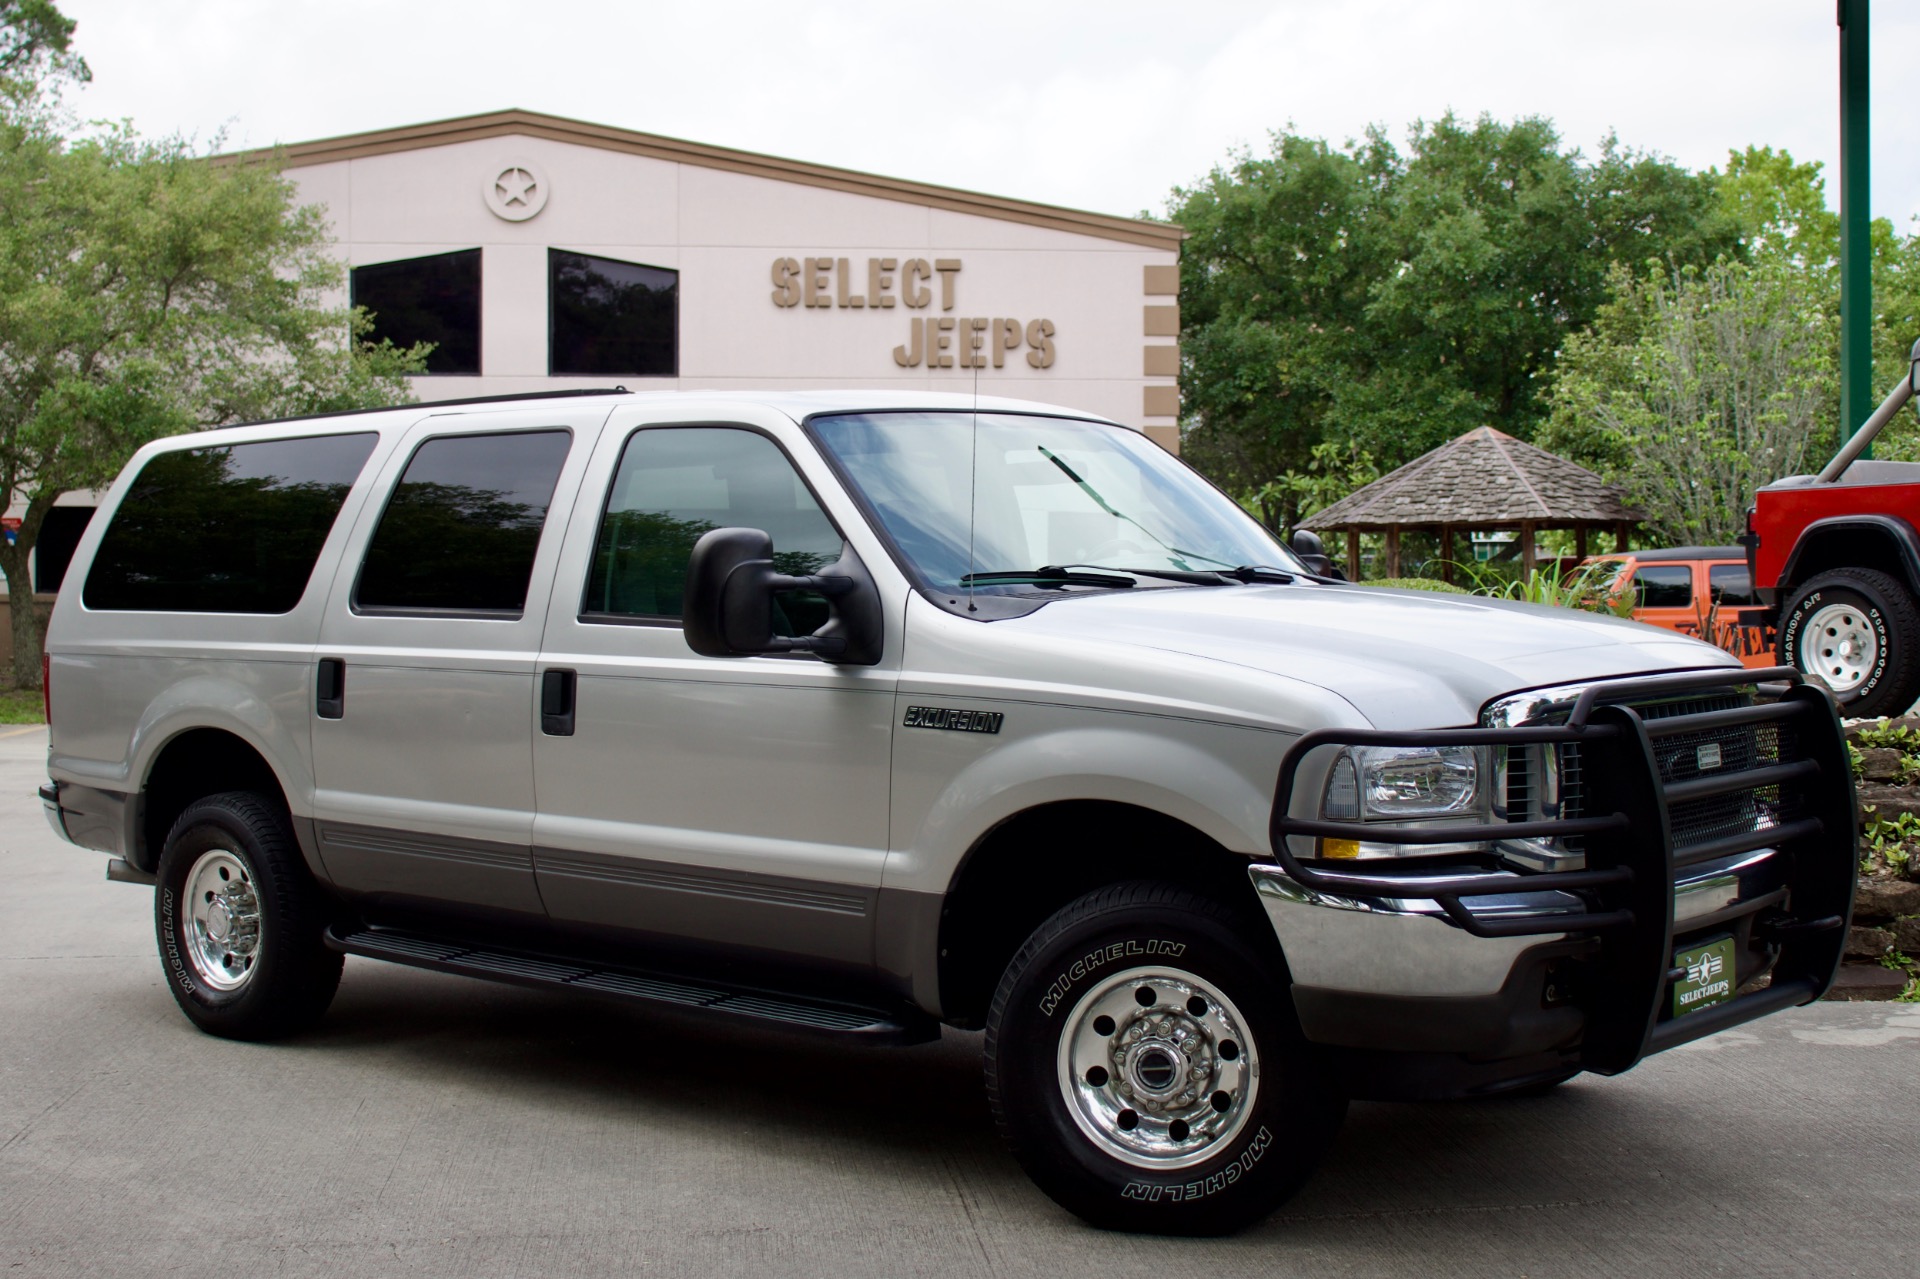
(1159, 1069)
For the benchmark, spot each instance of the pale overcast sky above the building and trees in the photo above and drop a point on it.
(1097, 107)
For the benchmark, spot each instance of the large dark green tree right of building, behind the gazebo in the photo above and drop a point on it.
(1389, 299)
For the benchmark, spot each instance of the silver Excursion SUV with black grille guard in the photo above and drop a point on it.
(867, 713)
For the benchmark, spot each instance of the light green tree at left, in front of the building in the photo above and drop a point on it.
(145, 291)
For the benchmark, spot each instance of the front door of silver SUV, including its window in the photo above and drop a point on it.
(736, 802)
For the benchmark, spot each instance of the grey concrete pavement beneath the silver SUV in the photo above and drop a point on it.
(439, 1126)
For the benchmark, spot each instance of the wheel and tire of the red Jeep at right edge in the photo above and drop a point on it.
(1860, 631)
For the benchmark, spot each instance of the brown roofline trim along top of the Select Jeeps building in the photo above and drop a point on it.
(752, 164)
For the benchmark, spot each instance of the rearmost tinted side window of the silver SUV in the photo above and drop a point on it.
(226, 531)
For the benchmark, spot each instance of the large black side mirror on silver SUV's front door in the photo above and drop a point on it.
(731, 602)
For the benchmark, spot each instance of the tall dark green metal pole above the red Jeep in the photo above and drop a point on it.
(1856, 249)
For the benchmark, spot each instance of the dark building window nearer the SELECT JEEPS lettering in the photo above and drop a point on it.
(612, 318)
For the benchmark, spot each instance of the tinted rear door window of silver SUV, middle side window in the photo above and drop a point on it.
(464, 525)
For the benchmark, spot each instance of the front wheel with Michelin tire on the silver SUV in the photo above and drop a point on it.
(1145, 1067)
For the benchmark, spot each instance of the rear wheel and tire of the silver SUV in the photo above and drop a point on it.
(239, 921)
